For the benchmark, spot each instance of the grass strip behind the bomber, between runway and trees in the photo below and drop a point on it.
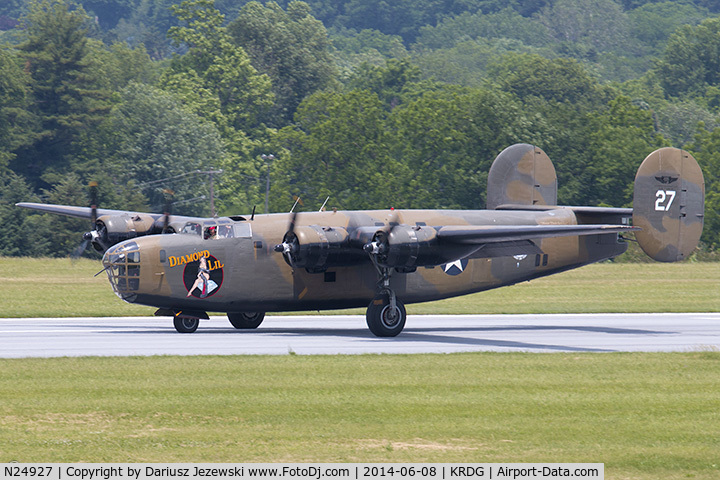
(59, 287)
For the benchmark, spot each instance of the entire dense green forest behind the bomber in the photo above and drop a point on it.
(375, 104)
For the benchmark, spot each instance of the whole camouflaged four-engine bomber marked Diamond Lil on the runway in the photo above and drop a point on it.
(383, 259)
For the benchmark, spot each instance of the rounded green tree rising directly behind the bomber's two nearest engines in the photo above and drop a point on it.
(338, 148)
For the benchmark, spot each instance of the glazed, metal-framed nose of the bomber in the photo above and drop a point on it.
(122, 264)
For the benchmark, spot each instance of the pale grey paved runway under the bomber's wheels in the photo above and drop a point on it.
(345, 334)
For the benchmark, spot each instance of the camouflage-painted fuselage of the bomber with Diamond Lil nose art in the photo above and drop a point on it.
(248, 275)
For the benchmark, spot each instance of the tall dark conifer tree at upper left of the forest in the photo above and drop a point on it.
(67, 97)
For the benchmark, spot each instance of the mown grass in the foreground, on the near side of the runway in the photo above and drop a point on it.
(646, 416)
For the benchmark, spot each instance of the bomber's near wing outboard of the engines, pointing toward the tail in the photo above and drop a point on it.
(485, 234)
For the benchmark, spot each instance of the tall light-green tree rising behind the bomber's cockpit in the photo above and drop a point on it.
(216, 80)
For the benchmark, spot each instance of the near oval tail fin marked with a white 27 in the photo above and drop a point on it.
(668, 204)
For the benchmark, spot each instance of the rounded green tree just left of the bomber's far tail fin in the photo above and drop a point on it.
(447, 139)
